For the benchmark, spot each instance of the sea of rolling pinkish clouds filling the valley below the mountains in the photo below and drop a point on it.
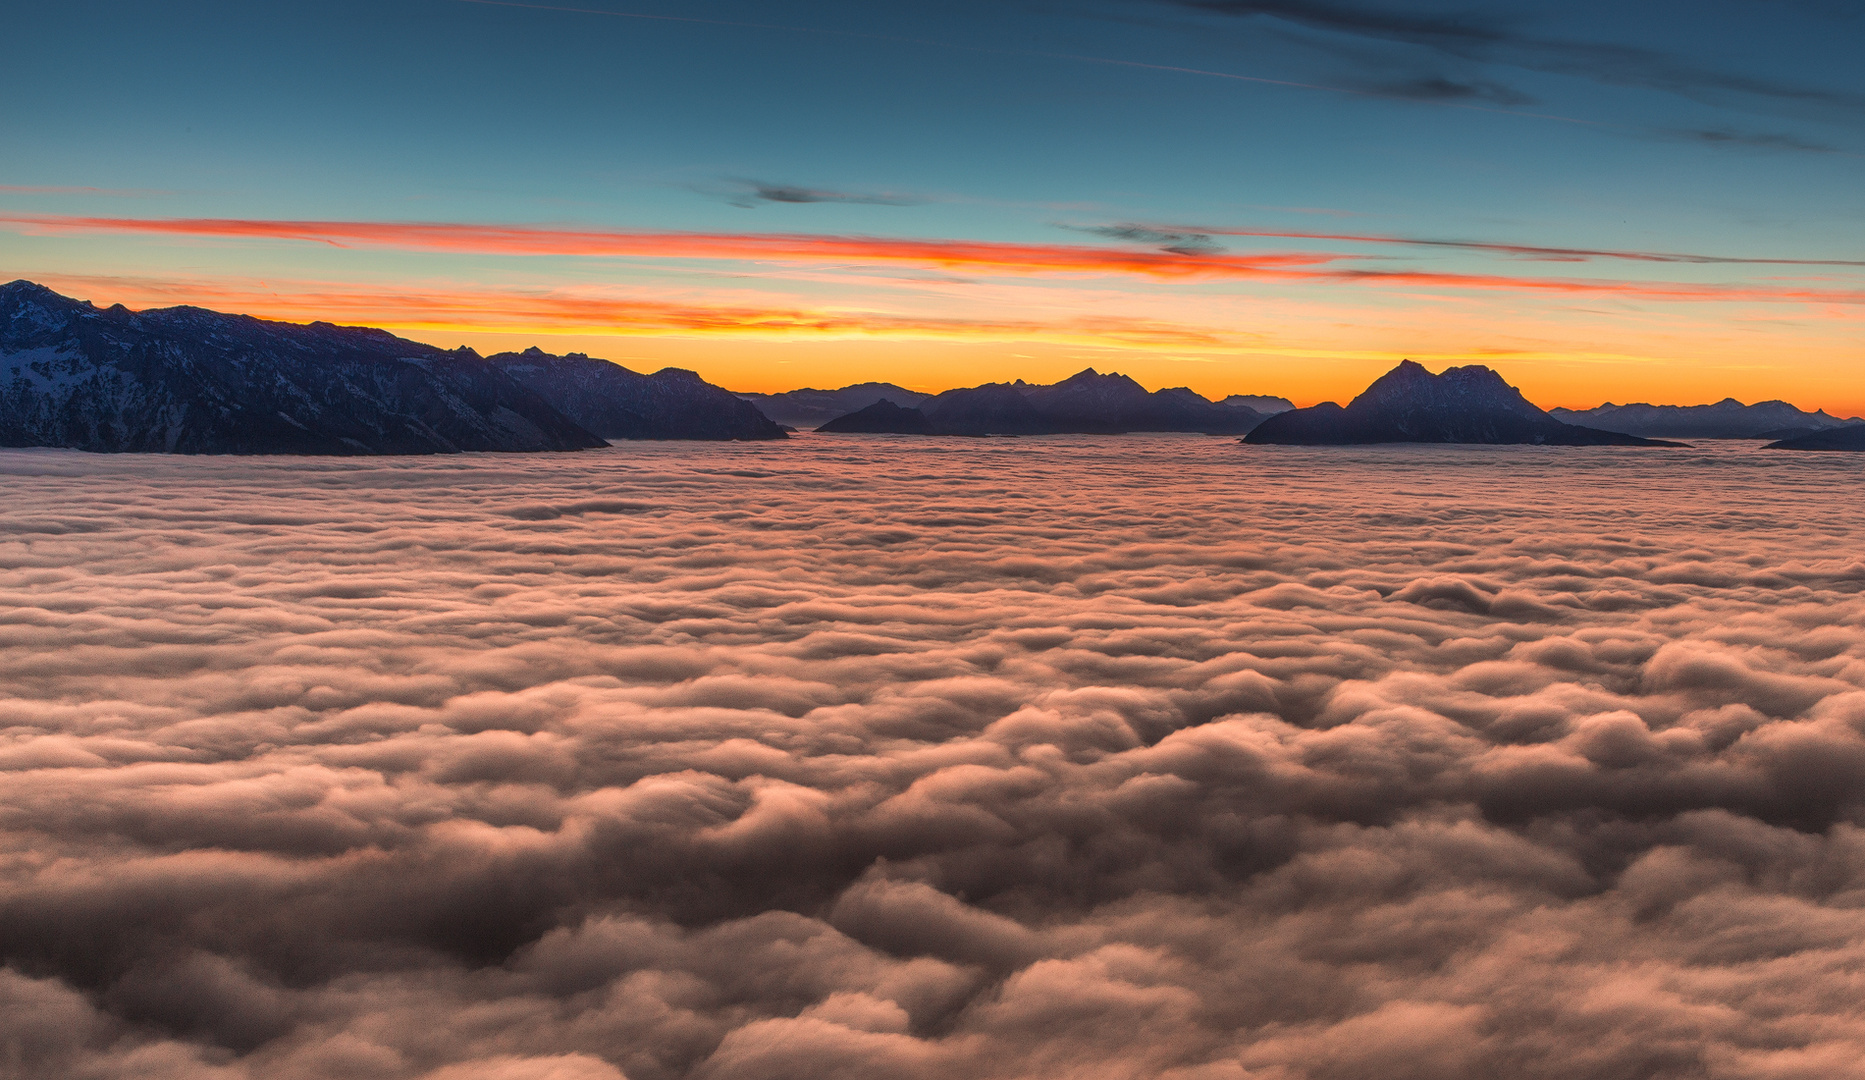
(851, 758)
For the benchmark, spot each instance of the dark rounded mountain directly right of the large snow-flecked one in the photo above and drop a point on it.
(618, 404)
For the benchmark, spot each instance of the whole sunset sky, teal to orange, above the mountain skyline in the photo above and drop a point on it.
(1657, 202)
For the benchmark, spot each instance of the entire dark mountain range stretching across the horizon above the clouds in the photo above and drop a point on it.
(195, 381)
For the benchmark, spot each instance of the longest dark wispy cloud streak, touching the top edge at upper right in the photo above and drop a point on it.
(1502, 38)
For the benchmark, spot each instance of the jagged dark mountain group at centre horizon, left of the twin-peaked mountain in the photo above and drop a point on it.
(1084, 404)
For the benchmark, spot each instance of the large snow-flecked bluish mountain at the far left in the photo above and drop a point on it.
(195, 381)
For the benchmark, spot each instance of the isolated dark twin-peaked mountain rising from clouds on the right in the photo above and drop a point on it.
(1415, 406)
